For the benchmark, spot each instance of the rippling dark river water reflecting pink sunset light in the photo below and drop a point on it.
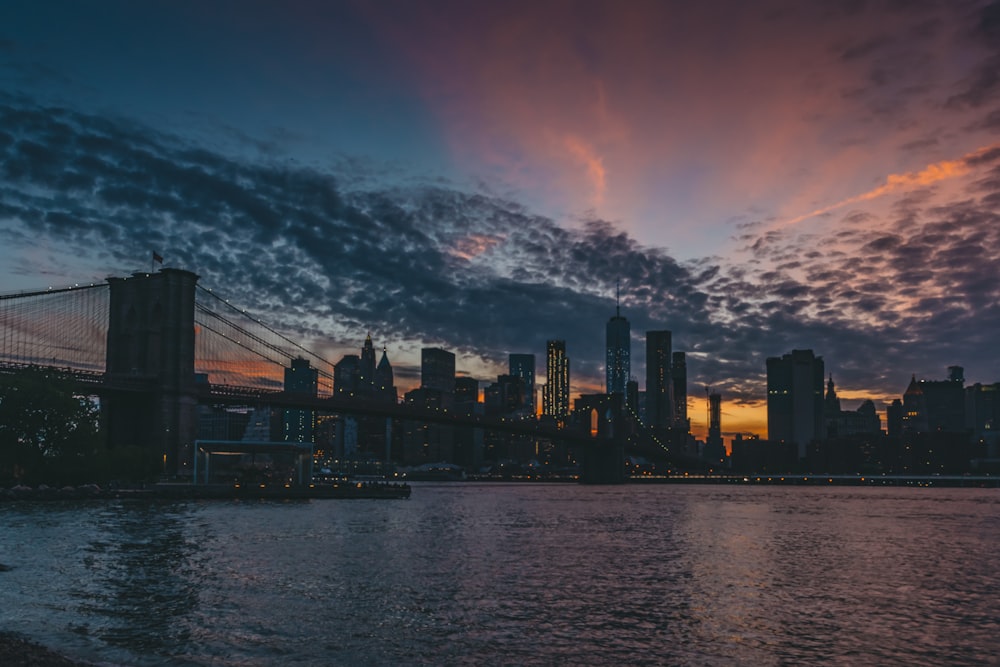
(515, 574)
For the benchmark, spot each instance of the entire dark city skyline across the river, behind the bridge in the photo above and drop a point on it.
(935, 427)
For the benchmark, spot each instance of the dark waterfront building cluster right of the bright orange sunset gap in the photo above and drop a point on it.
(937, 427)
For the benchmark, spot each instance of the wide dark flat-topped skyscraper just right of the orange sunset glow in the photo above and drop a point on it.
(795, 398)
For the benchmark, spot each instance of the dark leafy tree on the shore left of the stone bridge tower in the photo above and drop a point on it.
(48, 429)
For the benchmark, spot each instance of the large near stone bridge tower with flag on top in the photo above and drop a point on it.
(150, 353)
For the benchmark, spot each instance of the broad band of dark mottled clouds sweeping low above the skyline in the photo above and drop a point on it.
(879, 297)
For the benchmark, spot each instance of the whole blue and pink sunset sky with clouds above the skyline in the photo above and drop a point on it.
(756, 176)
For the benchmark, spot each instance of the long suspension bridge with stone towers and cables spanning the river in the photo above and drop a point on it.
(155, 346)
